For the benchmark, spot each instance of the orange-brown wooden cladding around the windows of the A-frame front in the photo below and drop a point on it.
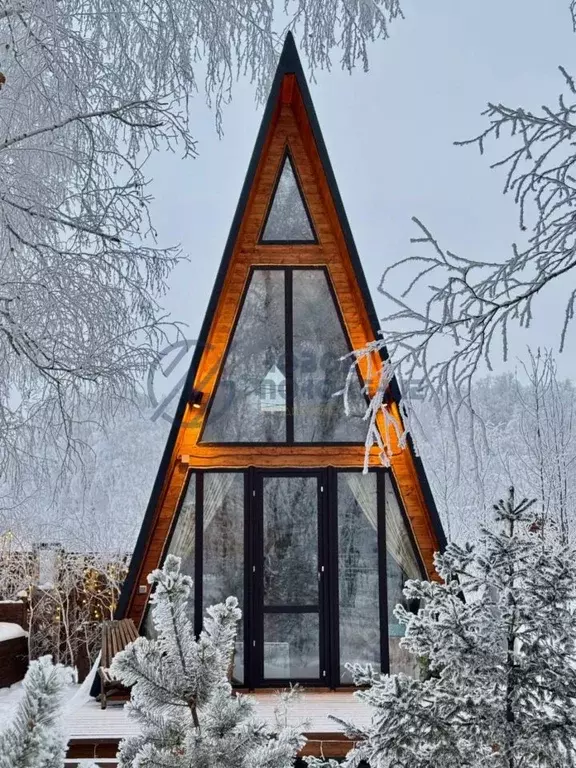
(289, 128)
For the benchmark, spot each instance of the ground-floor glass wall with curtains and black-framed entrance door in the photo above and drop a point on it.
(299, 595)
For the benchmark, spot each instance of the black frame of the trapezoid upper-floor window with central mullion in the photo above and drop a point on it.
(288, 357)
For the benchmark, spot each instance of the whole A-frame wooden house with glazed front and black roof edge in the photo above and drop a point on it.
(260, 489)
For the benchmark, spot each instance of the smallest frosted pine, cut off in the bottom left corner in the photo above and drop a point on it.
(34, 738)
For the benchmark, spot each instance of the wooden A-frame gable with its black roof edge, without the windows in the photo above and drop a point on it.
(289, 127)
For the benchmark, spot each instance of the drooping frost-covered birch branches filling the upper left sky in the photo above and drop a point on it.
(87, 91)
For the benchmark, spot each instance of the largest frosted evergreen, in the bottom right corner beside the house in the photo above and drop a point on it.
(499, 637)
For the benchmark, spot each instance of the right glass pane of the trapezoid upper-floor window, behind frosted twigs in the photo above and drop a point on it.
(319, 343)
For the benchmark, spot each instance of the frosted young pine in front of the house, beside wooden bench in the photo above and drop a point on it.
(181, 694)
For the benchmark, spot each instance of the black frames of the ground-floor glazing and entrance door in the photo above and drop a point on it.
(328, 609)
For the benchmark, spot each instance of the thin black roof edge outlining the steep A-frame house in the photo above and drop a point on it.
(289, 63)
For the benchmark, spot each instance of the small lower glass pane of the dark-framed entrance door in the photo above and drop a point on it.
(291, 646)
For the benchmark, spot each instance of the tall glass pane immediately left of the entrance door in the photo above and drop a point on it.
(223, 544)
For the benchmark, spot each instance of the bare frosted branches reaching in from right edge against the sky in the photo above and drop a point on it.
(452, 319)
